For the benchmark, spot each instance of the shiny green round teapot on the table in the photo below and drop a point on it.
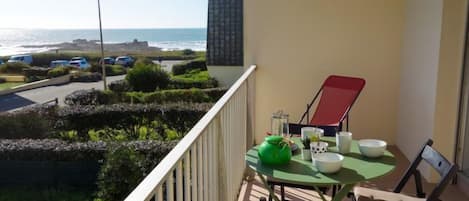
(274, 151)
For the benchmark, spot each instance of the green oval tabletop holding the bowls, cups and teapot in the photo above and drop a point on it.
(356, 168)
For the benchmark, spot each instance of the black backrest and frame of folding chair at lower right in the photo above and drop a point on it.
(446, 169)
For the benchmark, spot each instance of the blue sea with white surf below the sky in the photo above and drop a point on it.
(11, 40)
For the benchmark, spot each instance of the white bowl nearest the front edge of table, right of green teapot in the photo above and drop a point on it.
(328, 162)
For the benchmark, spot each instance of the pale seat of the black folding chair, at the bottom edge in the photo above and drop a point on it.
(383, 195)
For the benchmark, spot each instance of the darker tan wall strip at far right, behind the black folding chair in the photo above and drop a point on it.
(449, 76)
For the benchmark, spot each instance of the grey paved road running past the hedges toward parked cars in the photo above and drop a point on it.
(44, 94)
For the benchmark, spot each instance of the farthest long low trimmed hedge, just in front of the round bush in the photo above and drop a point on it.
(98, 97)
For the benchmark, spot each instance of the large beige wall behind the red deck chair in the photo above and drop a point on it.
(297, 44)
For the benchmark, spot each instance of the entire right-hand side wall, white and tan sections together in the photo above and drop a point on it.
(432, 58)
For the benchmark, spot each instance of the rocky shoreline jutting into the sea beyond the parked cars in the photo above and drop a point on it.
(94, 45)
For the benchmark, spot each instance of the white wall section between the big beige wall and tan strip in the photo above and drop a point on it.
(419, 72)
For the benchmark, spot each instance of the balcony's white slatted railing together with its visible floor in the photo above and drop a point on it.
(208, 163)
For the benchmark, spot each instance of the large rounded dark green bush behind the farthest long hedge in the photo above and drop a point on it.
(147, 78)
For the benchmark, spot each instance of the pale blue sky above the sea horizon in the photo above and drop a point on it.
(79, 14)
